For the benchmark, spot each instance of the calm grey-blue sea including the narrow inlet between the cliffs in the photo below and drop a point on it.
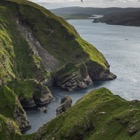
(121, 47)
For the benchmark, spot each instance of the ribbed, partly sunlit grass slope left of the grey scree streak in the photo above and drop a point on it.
(17, 59)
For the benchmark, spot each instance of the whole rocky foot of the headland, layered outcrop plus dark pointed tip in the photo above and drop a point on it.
(82, 76)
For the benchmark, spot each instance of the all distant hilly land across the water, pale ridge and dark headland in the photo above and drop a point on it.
(112, 15)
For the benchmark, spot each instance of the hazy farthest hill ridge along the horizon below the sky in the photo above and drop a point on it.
(89, 11)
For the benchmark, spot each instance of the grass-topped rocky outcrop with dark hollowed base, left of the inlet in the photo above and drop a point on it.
(31, 93)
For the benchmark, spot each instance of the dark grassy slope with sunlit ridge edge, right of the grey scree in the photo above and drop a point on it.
(56, 35)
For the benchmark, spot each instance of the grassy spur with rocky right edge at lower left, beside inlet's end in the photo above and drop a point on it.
(13, 108)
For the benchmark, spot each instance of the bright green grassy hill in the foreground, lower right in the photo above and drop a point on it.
(98, 115)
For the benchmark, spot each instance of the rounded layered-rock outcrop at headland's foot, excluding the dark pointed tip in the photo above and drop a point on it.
(77, 79)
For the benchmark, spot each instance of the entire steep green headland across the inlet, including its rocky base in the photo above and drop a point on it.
(37, 50)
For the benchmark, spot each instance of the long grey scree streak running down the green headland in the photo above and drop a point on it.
(48, 61)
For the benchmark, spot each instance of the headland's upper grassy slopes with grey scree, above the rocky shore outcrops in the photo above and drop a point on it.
(35, 44)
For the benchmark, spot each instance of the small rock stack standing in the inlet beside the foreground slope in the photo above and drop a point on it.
(65, 104)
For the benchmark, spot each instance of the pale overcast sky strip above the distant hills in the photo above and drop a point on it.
(50, 4)
